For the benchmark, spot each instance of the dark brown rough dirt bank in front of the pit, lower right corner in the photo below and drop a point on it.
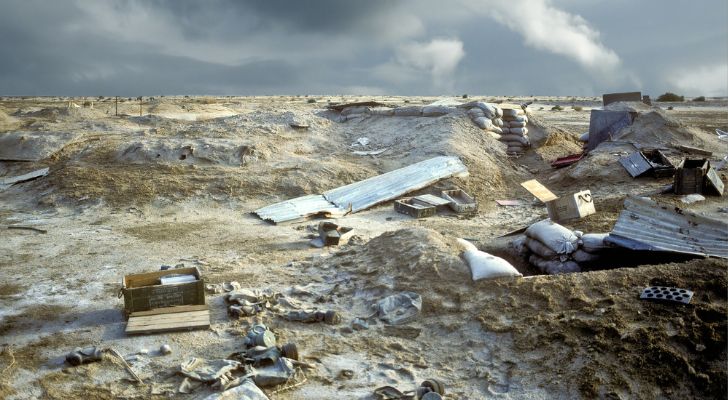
(592, 329)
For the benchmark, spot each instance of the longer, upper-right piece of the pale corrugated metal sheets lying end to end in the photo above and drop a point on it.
(364, 194)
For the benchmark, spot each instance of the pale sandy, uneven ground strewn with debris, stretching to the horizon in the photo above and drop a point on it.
(121, 198)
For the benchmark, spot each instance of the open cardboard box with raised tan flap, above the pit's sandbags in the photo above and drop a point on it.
(574, 206)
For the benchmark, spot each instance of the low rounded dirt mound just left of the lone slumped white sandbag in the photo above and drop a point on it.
(414, 259)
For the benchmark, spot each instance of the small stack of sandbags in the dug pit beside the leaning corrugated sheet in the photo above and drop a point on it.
(551, 246)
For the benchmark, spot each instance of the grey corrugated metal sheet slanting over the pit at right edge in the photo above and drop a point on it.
(647, 225)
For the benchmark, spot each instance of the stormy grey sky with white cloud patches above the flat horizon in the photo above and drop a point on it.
(407, 47)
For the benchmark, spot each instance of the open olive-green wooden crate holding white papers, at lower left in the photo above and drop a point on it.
(143, 292)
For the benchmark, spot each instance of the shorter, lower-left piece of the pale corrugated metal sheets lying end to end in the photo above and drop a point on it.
(297, 209)
